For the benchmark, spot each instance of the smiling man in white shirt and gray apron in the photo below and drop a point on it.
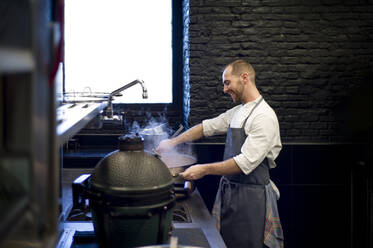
(245, 206)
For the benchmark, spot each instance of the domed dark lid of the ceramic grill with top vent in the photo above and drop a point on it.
(131, 170)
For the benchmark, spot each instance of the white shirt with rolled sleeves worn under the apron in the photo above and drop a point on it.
(262, 130)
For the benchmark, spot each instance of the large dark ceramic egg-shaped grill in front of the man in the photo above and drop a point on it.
(131, 196)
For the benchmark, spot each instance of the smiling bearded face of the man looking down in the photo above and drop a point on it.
(233, 85)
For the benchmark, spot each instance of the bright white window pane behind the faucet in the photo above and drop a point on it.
(109, 43)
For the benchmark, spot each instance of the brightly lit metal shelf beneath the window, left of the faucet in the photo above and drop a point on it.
(72, 117)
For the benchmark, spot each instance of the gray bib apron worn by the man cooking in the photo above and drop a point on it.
(241, 206)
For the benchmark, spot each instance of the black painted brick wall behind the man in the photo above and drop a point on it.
(312, 59)
